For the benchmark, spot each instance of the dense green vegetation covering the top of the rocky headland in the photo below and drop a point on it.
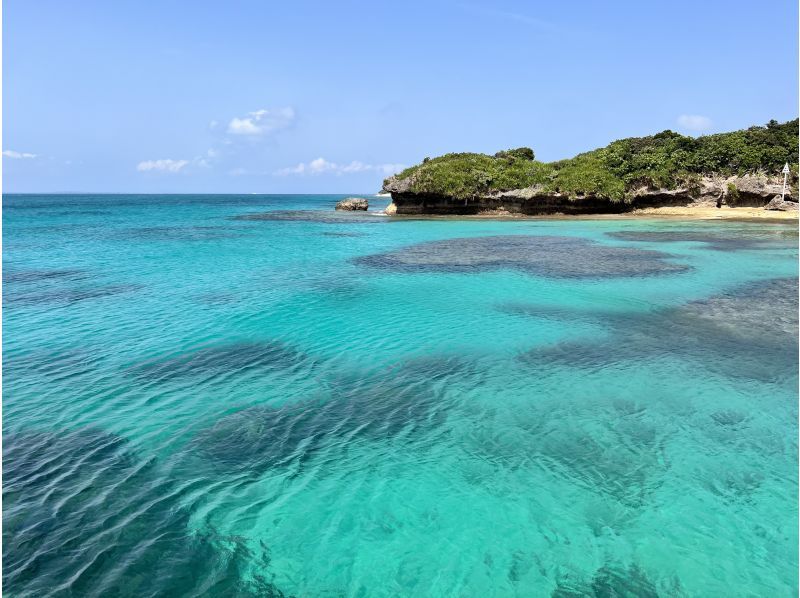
(665, 160)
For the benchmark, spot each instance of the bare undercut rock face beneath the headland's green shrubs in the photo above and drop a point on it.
(747, 190)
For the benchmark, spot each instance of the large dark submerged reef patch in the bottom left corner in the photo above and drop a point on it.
(84, 513)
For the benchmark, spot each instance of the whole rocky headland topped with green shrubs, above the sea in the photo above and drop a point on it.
(738, 169)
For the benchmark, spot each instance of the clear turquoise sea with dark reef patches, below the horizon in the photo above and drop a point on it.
(254, 395)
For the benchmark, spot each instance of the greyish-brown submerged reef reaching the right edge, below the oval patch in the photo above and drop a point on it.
(749, 331)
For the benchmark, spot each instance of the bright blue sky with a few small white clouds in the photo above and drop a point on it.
(332, 97)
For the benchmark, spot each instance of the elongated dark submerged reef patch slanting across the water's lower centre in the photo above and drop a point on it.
(404, 401)
